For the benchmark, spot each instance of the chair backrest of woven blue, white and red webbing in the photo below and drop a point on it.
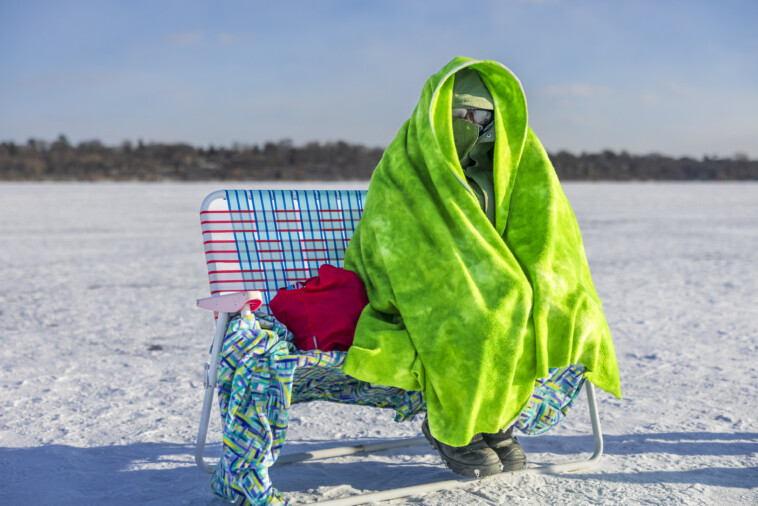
(268, 239)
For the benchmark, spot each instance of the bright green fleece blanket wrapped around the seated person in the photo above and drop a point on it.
(468, 312)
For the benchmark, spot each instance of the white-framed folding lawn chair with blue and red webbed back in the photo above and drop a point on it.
(257, 241)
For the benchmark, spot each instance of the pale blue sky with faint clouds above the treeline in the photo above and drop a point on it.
(672, 77)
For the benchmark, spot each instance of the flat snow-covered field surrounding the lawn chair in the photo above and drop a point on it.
(102, 353)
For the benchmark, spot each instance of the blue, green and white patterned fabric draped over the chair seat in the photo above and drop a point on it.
(261, 374)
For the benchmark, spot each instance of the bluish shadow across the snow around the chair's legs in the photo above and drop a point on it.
(164, 473)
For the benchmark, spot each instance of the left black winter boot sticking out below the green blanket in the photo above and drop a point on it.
(475, 459)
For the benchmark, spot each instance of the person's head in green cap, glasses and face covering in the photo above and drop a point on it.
(472, 109)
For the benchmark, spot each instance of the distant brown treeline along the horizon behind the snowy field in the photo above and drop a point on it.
(39, 160)
